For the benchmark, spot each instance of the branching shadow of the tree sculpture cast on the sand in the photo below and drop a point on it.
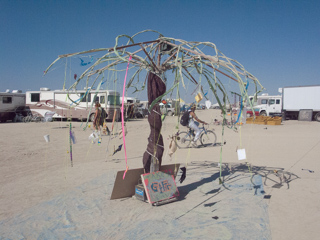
(233, 174)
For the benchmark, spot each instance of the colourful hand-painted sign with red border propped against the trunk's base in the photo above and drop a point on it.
(160, 186)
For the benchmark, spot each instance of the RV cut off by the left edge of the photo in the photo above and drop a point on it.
(11, 104)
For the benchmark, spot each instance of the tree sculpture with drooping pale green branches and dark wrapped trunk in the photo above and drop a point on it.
(156, 57)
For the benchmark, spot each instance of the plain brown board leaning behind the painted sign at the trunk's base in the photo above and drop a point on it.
(126, 187)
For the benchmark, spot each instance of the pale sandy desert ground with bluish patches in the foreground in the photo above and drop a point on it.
(43, 197)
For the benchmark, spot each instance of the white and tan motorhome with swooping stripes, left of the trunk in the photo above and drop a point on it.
(77, 104)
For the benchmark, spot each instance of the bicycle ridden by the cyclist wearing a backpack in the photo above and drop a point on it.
(207, 137)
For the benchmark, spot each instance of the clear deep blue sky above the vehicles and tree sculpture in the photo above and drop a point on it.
(277, 41)
